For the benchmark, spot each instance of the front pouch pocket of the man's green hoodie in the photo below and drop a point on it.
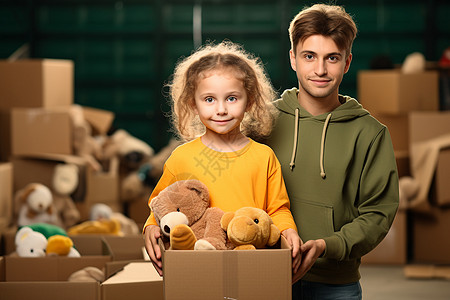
(314, 221)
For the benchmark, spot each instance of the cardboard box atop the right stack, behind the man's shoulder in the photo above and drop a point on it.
(391, 92)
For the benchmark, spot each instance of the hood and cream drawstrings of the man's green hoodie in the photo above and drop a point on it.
(348, 110)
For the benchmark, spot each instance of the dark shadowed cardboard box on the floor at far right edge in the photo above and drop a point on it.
(430, 232)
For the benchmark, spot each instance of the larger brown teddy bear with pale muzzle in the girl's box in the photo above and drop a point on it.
(182, 212)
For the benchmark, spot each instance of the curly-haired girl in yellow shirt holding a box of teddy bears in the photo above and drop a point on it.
(220, 94)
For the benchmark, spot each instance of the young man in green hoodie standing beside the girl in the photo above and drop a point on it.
(337, 160)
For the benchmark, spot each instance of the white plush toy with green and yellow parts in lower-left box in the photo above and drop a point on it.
(31, 243)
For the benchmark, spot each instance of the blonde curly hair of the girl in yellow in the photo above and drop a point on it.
(259, 118)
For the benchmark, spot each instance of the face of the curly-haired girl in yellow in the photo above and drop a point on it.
(220, 102)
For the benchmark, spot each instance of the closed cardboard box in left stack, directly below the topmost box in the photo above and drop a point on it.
(41, 131)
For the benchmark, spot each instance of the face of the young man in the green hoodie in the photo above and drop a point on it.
(320, 66)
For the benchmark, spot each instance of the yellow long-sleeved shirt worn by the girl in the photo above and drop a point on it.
(250, 176)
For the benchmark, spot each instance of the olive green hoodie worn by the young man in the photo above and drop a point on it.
(341, 176)
